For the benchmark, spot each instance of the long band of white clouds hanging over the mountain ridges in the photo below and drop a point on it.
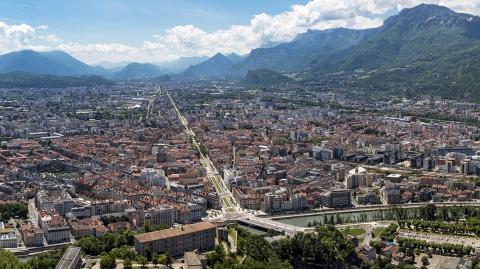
(190, 40)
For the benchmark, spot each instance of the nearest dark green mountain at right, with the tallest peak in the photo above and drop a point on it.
(428, 48)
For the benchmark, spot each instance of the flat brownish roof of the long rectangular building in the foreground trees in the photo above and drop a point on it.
(173, 232)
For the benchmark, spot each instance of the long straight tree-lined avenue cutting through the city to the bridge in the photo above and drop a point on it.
(229, 204)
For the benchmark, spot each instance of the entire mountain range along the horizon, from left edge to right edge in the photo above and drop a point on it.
(427, 47)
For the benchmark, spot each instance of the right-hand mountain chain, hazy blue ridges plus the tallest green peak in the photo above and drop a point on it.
(428, 48)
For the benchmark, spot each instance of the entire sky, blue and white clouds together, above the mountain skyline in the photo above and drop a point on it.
(162, 30)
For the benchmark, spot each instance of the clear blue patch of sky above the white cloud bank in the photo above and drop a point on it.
(130, 22)
